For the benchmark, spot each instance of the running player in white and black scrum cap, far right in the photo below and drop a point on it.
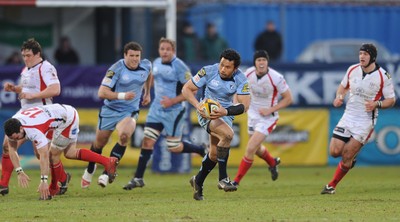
(370, 88)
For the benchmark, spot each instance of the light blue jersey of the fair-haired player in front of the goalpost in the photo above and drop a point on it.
(168, 81)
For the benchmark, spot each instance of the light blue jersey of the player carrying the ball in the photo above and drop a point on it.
(221, 90)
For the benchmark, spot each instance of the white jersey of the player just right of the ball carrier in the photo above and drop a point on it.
(266, 90)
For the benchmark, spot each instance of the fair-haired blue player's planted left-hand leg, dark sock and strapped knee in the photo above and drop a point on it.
(151, 133)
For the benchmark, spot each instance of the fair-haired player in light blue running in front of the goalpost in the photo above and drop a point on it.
(166, 111)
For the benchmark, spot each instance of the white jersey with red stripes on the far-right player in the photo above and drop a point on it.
(361, 89)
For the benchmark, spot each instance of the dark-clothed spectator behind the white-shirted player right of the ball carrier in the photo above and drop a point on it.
(270, 40)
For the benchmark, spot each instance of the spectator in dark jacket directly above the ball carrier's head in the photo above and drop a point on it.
(212, 44)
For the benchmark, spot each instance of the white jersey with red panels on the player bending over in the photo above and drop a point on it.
(42, 123)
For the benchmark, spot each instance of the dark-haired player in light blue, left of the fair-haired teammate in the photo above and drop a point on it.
(121, 90)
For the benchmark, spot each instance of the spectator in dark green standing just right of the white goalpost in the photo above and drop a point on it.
(189, 45)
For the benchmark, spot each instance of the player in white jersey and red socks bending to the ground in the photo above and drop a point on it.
(56, 126)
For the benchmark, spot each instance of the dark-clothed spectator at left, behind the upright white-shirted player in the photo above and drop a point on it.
(65, 54)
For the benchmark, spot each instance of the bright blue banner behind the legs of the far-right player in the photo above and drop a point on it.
(383, 148)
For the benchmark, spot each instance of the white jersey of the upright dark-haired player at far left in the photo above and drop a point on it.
(37, 79)
